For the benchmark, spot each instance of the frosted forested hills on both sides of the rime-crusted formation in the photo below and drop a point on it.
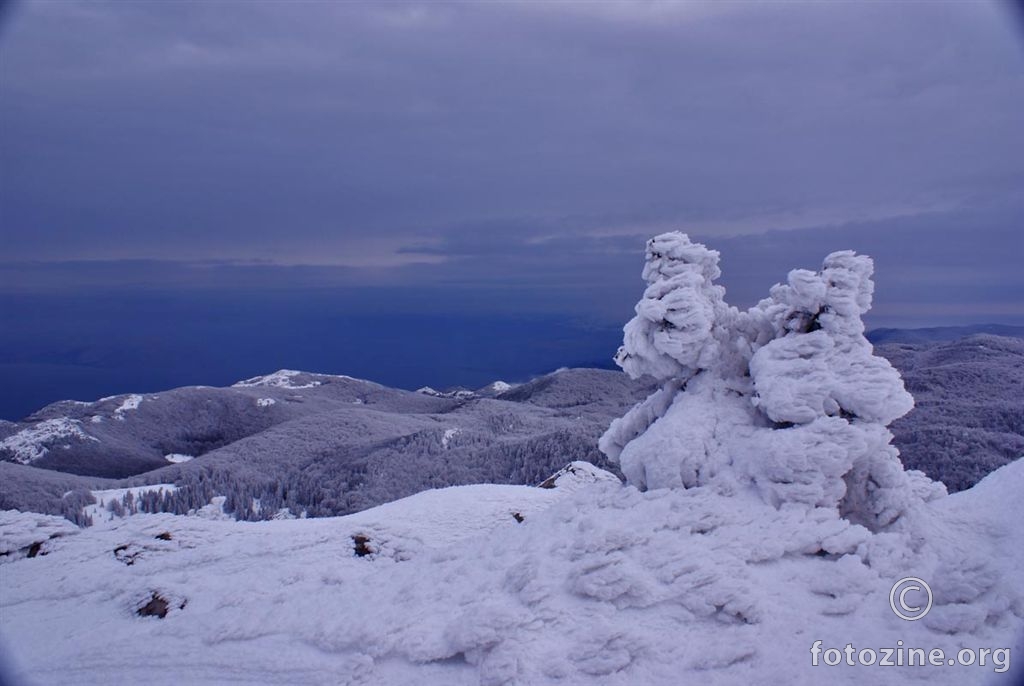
(323, 445)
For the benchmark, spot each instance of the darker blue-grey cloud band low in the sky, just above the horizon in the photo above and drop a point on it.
(957, 267)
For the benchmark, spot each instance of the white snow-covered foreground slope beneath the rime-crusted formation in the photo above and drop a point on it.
(600, 584)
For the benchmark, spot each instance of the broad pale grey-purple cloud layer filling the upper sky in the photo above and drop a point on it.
(139, 130)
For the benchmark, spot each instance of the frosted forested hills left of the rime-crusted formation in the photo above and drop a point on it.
(315, 445)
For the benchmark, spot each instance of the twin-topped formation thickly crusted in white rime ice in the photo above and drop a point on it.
(786, 399)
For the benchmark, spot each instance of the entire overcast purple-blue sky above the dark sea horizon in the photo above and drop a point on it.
(442, 155)
